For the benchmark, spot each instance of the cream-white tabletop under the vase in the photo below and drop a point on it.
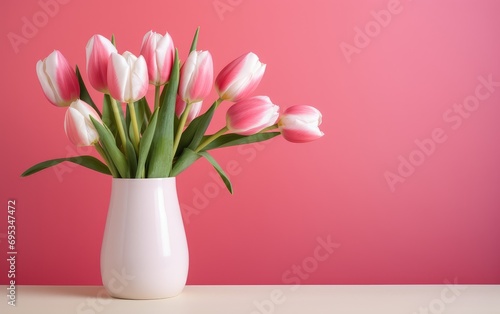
(305, 299)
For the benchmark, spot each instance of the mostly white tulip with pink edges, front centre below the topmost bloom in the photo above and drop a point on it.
(127, 77)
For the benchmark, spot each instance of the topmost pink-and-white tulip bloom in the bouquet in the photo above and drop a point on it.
(159, 53)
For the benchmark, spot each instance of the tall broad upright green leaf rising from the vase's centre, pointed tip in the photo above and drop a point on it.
(160, 163)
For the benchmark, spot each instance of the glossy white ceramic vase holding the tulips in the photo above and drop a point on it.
(144, 253)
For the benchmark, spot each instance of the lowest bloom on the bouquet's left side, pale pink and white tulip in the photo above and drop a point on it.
(78, 126)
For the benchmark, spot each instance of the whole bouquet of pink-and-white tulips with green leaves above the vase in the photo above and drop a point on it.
(139, 140)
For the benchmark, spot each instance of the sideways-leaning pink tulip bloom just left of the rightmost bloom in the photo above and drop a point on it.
(251, 115)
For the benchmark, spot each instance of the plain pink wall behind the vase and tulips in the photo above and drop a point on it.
(398, 85)
